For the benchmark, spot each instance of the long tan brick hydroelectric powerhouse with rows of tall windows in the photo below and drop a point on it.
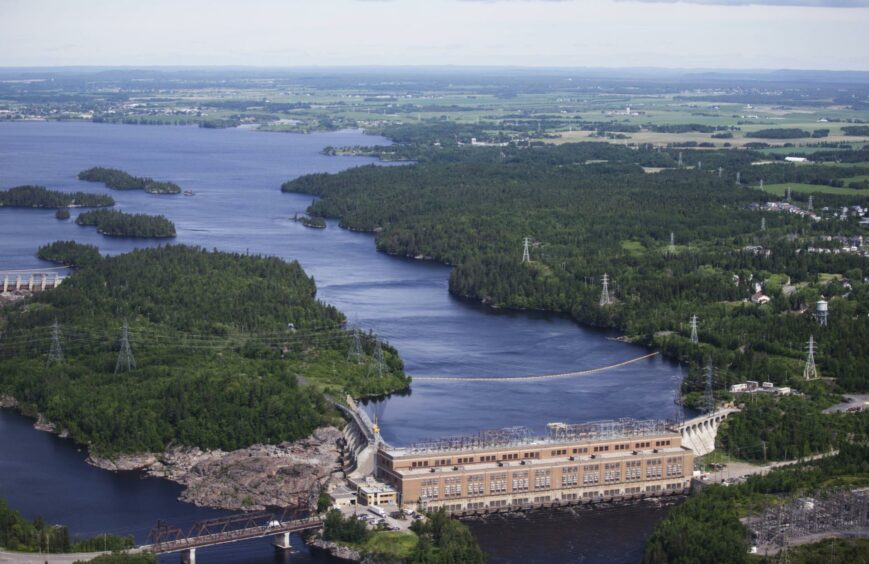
(509, 468)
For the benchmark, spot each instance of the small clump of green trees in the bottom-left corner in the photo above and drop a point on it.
(20, 535)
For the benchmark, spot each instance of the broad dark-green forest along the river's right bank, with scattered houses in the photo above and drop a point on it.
(590, 209)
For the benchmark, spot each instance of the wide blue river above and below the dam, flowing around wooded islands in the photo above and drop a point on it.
(236, 176)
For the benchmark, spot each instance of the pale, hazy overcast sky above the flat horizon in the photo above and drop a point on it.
(725, 34)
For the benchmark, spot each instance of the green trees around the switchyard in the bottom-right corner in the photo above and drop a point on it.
(706, 528)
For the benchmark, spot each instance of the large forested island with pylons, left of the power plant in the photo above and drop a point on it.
(228, 350)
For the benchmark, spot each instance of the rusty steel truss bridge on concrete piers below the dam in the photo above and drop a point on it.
(167, 539)
